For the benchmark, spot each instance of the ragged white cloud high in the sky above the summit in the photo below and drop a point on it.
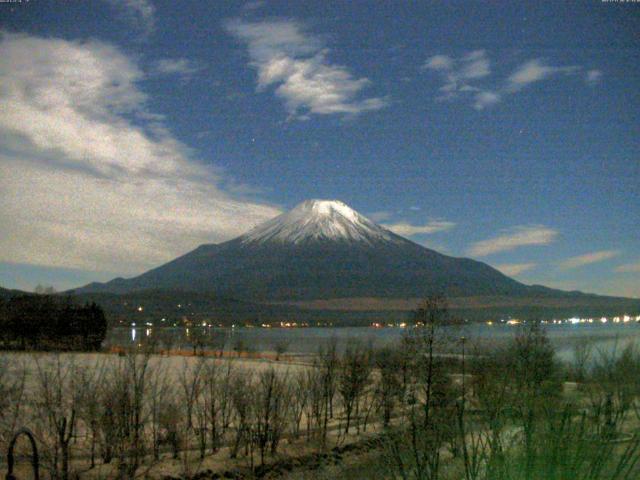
(297, 64)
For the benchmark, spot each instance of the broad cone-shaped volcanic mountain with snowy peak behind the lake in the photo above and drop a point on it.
(320, 250)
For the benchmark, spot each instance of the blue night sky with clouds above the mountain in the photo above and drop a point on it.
(504, 131)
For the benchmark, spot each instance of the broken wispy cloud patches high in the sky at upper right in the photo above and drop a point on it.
(466, 78)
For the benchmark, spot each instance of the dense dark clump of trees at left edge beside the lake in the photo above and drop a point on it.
(50, 322)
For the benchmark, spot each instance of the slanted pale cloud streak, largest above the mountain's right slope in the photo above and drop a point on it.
(513, 238)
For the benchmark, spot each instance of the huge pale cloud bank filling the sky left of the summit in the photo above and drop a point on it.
(83, 184)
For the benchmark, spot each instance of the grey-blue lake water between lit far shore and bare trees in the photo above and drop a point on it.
(603, 338)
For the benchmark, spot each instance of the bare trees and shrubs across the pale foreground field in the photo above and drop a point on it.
(507, 413)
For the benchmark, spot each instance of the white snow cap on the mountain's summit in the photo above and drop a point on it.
(319, 220)
